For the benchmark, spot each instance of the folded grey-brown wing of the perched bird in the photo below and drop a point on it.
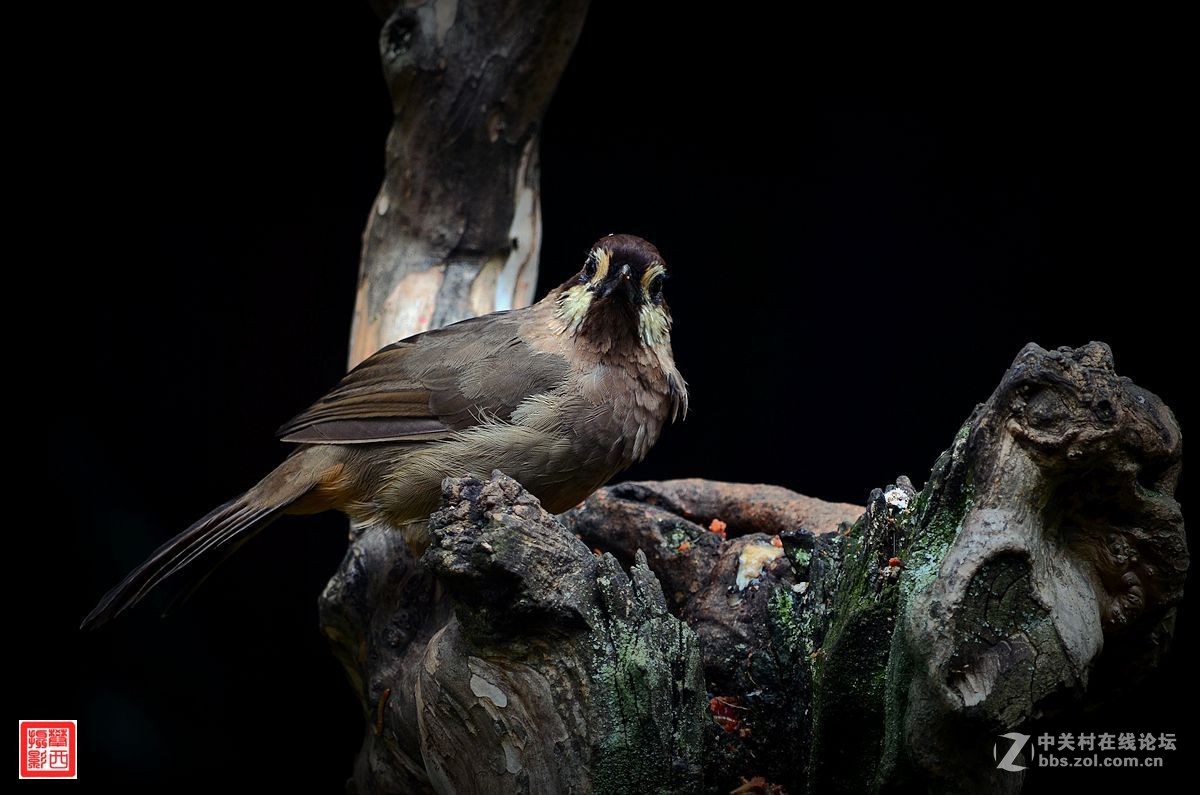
(433, 385)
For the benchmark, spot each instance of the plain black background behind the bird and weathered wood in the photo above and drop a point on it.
(859, 253)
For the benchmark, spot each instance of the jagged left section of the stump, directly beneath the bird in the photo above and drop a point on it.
(556, 673)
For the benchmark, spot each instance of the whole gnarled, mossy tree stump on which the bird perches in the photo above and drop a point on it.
(1037, 571)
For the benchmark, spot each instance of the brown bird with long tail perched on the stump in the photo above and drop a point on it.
(561, 396)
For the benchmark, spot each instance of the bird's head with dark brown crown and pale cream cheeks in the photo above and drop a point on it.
(619, 294)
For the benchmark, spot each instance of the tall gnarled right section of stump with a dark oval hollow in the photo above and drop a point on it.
(1039, 571)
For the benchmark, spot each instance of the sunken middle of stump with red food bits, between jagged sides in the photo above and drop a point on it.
(757, 596)
